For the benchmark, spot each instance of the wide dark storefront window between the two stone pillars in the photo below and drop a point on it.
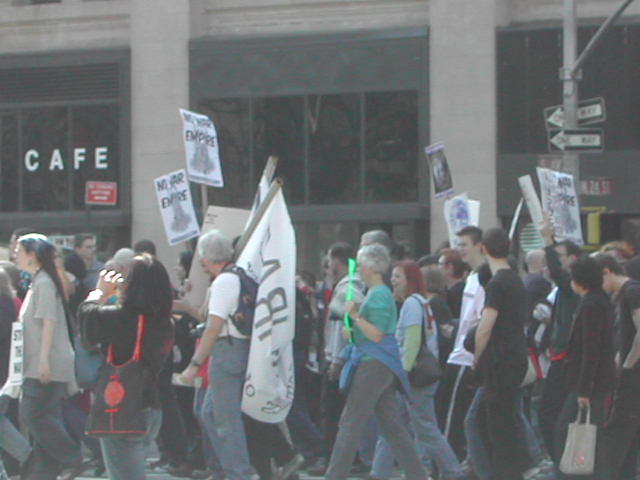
(332, 149)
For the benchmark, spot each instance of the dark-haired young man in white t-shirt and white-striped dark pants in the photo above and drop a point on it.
(458, 390)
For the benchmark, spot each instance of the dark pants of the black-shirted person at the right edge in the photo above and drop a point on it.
(623, 427)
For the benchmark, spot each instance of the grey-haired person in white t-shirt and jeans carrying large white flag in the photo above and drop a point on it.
(228, 362)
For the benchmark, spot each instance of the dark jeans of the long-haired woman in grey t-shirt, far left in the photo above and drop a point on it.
(41, 413)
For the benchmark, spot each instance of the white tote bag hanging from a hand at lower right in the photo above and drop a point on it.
(579, 453)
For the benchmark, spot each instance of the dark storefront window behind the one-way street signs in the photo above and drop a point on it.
(528, 66)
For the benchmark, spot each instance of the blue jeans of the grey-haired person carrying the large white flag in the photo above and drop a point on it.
(227, 368)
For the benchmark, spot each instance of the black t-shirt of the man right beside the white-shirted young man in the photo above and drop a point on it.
(506, 293)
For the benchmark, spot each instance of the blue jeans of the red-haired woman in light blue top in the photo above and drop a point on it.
(431, 444)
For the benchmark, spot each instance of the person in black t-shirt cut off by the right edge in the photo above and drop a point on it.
(623, 427)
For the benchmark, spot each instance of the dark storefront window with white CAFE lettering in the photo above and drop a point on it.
(47, 154)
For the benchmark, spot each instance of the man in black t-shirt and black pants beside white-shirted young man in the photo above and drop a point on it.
(501, 358)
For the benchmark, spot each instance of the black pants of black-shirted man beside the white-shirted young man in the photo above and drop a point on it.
(503, 436)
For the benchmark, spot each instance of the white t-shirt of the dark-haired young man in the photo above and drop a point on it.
(470, 313)
